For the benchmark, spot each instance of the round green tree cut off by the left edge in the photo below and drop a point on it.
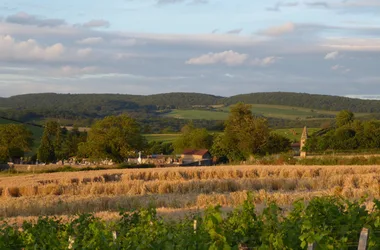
(15, 140)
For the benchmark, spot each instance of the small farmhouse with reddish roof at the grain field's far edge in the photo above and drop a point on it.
(191, 157)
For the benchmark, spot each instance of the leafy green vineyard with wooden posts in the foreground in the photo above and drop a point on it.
(330, 223)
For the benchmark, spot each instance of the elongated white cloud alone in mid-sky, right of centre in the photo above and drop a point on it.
(230, 58)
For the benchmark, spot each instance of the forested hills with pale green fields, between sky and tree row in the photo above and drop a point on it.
(163, 111)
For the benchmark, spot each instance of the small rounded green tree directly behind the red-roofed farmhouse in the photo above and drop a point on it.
(194, 138)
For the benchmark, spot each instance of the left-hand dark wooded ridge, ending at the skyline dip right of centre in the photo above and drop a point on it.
(106, 102)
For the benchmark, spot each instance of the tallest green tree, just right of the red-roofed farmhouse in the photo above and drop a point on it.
(244, 134)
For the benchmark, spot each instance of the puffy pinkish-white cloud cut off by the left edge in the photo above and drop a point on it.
(10, 49)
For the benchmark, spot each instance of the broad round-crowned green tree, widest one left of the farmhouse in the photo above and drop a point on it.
(114, 137)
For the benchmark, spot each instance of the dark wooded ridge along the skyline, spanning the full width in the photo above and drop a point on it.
(108, 103)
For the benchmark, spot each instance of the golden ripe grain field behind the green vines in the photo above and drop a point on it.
(179, 189)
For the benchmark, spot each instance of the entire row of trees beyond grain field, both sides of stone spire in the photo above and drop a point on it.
(244, 135)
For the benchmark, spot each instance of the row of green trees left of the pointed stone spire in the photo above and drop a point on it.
(121, 137)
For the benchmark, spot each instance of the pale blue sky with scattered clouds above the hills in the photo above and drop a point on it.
(219, 47)
